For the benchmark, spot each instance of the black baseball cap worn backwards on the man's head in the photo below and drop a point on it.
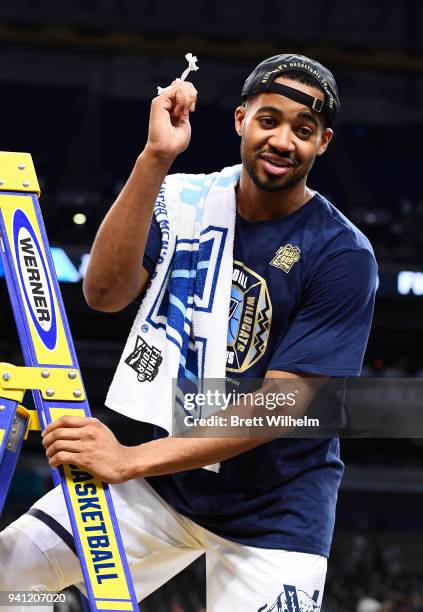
(263, 76)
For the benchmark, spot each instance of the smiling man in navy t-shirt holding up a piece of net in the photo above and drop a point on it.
(266, 518)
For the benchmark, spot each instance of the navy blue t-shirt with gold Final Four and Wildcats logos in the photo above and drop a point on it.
(312, 274)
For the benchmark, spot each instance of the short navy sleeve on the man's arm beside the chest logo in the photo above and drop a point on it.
(329, 334)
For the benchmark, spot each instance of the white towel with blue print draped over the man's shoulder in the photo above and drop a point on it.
(180, 331)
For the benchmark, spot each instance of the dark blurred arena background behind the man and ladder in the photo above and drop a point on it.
(76, 79)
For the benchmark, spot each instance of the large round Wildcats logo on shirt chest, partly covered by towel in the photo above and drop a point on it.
(250, 316)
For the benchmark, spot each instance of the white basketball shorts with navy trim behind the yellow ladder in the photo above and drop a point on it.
(159, 543)
